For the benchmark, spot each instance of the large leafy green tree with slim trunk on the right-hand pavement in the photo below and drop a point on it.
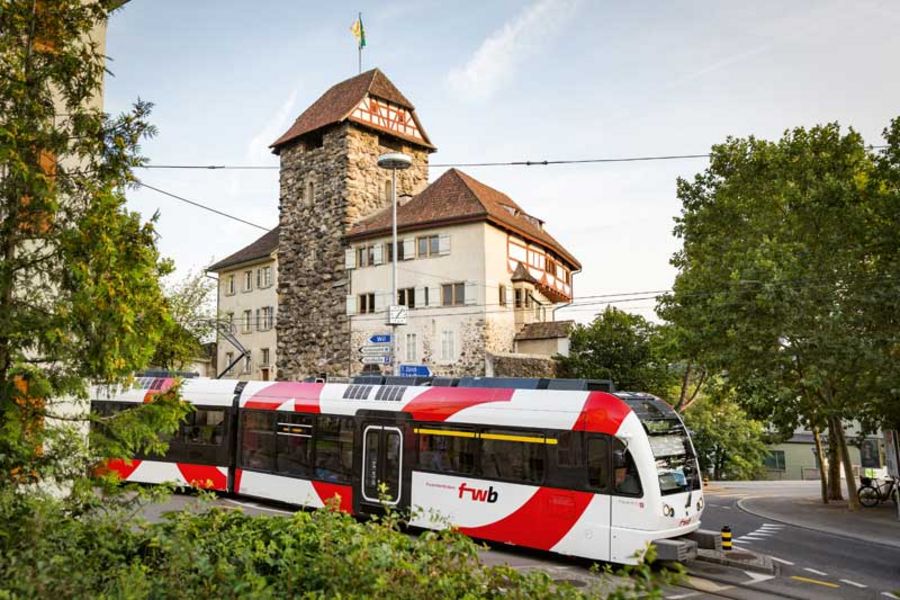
(788, 277)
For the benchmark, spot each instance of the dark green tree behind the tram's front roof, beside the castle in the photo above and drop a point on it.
(623, 347)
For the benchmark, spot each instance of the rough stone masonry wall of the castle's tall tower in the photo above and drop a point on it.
(312, 325)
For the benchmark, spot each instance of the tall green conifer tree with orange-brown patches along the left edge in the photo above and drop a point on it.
(80, 299)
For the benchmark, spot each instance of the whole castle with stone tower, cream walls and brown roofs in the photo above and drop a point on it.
(476, 273)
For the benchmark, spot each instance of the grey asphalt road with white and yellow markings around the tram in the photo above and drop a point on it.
(811, 564)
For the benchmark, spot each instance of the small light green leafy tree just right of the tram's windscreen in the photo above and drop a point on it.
(729, 444)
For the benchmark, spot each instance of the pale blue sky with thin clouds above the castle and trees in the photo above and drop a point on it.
(499, 81)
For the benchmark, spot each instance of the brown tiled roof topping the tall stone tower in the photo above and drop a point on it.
(336, 105)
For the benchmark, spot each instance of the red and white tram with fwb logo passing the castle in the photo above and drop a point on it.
(587, 473)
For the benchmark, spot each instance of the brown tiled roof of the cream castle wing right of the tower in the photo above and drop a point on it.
(458, 198)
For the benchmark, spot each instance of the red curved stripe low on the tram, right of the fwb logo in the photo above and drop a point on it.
(539, 523)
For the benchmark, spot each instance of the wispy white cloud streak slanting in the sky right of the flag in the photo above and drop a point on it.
(494, 62)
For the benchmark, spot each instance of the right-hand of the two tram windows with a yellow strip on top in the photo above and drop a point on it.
(513, 455)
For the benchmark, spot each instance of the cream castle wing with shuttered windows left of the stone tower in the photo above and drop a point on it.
(247, 305)
